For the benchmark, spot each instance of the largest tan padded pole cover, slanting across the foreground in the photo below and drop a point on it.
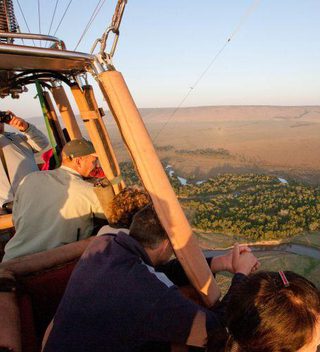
(157, 184)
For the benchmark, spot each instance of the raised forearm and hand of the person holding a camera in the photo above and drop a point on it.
(34, 137)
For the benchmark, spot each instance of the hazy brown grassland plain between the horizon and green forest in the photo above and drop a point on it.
(279, 140)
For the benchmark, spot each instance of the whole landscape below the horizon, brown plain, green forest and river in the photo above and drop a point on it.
(249, 174)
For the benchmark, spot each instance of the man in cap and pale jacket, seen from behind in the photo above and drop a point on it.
(56, 207)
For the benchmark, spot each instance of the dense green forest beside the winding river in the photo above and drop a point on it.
(255, 207)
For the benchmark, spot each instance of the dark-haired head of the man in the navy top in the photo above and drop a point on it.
(148, 231)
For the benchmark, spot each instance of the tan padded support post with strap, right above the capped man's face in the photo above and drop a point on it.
(98, 133)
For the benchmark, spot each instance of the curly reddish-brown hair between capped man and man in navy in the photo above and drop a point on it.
(126, 204)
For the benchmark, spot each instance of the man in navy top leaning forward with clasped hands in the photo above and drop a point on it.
(117, 301)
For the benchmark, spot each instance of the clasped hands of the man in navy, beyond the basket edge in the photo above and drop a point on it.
(244, 263)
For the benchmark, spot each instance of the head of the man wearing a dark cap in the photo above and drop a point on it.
(79, 154)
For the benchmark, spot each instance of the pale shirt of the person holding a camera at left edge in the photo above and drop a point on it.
(18, 150)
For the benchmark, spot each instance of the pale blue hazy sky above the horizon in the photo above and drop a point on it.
(165, 46)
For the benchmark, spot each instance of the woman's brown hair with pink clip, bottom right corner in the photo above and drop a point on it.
(265, 315)
